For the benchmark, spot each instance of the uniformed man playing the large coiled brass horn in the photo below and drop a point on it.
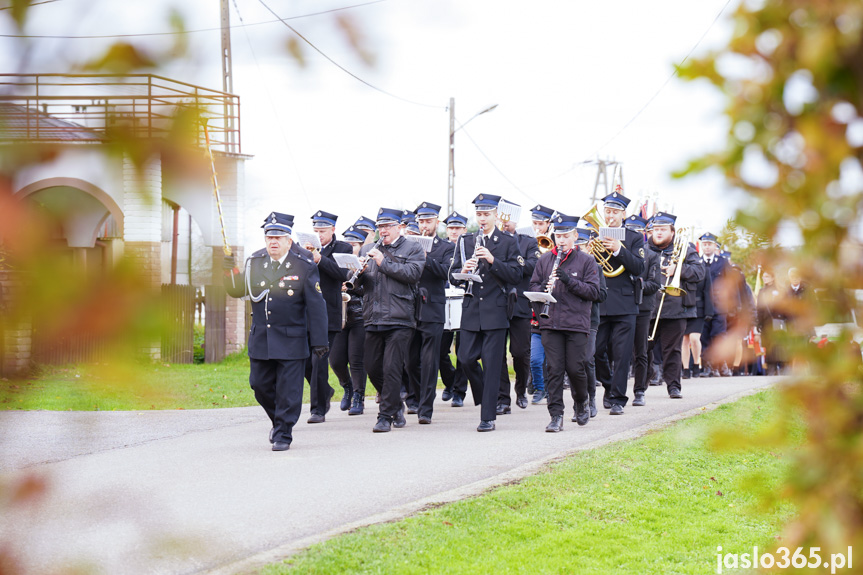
(616, 333)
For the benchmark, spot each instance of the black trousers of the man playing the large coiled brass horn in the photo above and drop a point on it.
(616, 335)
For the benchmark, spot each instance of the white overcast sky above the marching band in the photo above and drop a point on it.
(571, 80)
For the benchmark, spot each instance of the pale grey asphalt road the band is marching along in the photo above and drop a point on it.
(201, 491)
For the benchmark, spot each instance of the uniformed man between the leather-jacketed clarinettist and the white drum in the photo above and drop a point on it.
(425, 346)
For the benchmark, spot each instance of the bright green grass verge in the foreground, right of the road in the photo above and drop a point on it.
(659, 504)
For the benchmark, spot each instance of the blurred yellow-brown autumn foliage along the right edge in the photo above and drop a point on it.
(792, 75)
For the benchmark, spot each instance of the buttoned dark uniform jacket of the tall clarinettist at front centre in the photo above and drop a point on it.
(487, 308)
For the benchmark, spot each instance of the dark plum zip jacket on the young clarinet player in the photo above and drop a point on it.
(574, 299)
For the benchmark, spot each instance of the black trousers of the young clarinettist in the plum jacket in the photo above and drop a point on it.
(565, 351)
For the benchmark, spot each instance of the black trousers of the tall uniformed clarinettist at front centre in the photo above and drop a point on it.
(484, 381)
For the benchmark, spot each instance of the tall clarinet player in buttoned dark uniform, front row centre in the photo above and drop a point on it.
(493, 256)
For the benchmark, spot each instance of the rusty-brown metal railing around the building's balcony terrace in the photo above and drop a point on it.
(81, 107)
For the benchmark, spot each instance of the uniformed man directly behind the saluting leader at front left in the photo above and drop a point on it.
(332, 277)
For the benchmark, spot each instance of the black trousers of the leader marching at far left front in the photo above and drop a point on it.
(278, 387)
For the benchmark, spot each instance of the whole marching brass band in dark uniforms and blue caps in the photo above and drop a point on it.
(580, 299)
